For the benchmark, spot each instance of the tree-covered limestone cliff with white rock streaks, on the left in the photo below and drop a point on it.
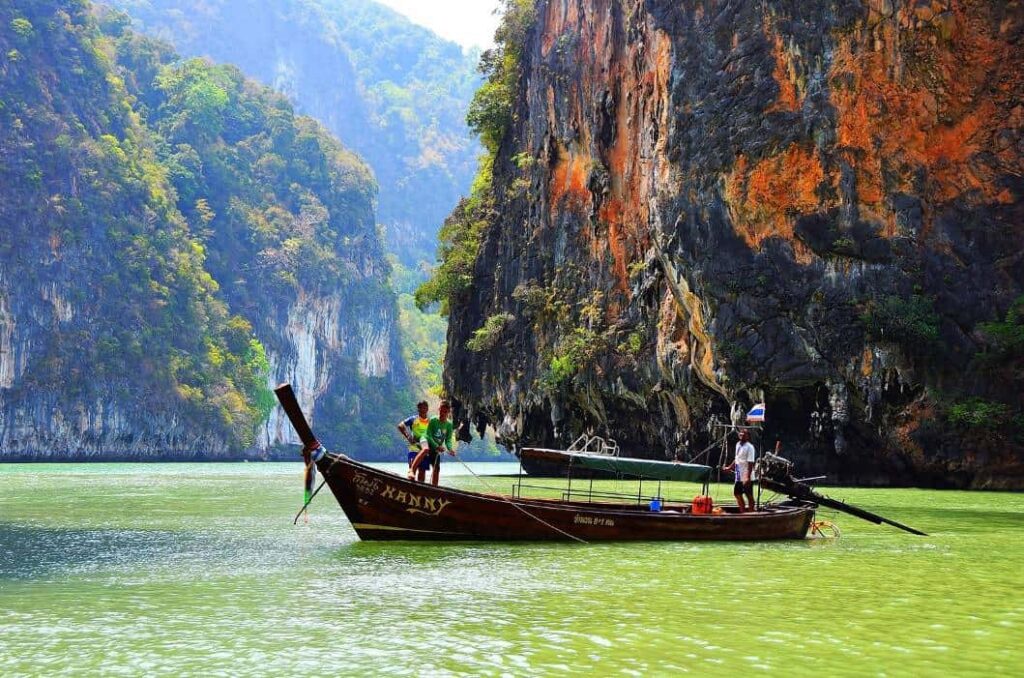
(174, 242)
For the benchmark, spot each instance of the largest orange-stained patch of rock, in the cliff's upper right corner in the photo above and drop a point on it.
(929, 97)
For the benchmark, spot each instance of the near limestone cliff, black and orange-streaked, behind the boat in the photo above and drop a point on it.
(706, 204)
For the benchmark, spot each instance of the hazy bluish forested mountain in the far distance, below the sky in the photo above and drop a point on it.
(390, 90)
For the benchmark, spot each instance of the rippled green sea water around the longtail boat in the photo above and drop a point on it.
(196, 569)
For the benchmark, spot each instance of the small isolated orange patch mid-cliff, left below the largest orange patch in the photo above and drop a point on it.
(766, 199)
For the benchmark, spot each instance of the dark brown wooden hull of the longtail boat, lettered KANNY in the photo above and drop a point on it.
(385, 506)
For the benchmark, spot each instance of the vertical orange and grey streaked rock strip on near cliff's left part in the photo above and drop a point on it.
(632, 76)
